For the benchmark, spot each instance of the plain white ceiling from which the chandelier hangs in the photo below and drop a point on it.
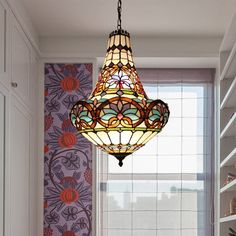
(140, 17)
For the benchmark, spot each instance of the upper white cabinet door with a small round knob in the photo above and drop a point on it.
(20, 63)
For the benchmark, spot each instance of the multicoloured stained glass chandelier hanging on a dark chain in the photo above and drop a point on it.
(118, 117)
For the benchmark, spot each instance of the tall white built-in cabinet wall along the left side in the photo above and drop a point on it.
(19, 201)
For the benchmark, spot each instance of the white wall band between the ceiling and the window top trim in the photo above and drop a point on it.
(142, 47)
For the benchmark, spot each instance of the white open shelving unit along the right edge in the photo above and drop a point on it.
(227, 160)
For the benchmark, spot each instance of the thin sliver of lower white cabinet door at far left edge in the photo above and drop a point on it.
(2, 157)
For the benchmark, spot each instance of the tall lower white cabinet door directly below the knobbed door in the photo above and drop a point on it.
(19, 169)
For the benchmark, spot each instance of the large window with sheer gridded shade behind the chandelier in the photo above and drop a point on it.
(165, 188)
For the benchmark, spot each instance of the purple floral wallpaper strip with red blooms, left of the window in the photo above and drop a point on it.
(68, 155)
